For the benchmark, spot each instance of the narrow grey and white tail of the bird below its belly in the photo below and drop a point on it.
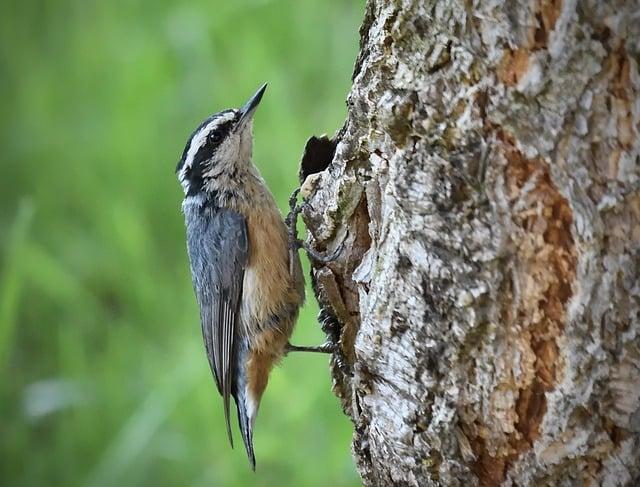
(246, 404)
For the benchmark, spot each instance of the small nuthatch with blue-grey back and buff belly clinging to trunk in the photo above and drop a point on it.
(246, 274)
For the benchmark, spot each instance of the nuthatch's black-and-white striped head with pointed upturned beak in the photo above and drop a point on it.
(219, 145)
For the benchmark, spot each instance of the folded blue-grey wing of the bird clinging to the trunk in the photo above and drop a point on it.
(218, 252)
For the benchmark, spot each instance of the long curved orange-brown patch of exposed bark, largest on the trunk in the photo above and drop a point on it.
(544, 263)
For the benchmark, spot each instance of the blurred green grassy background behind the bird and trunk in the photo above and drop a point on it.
(103, 376)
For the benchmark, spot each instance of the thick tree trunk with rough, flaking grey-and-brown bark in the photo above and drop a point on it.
(485, 189)
